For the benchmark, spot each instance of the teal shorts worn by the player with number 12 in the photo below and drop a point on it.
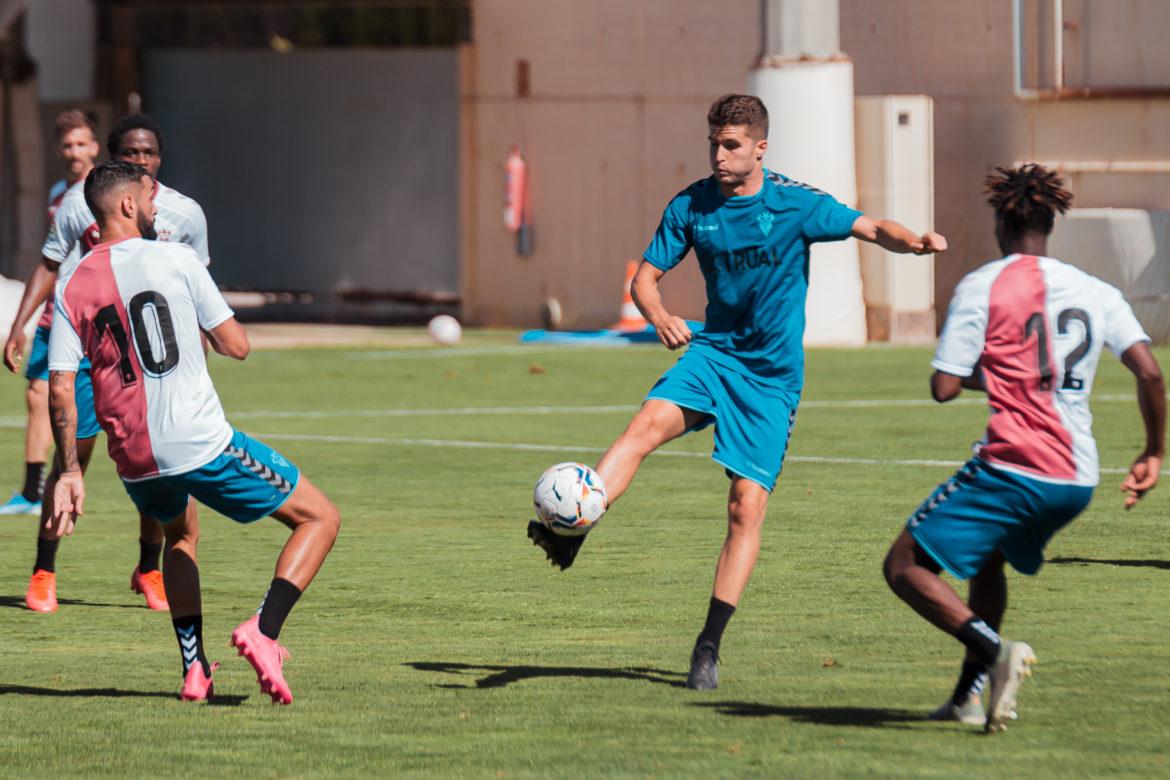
(983, 510)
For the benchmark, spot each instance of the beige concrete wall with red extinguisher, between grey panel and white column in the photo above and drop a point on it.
(614, 127)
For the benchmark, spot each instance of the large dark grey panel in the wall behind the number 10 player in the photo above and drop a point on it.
(322, 171)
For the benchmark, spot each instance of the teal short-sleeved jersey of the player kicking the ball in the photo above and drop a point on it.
(754, 254)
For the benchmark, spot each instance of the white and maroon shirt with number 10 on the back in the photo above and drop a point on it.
(135, 308)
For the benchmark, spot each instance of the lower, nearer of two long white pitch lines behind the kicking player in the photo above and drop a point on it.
(518, 447)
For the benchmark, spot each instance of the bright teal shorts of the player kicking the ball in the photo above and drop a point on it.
(753, 419)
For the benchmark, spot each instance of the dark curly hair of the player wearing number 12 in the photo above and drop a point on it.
(1028, 197)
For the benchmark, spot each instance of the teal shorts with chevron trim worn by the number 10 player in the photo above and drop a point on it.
(246, 482)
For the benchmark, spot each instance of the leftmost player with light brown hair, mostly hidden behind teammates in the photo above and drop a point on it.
(79, 149)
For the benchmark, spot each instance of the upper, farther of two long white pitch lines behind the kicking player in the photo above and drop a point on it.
(472, 411)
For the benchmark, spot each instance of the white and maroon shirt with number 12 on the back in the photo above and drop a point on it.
(1036, 327)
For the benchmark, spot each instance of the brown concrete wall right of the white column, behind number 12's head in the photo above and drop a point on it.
(960, 53)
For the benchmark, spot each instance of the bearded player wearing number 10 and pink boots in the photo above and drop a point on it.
(137, 309)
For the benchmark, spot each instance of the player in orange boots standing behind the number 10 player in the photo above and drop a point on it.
(135, 139)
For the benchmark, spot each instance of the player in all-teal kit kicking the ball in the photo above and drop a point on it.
(751, 230)
